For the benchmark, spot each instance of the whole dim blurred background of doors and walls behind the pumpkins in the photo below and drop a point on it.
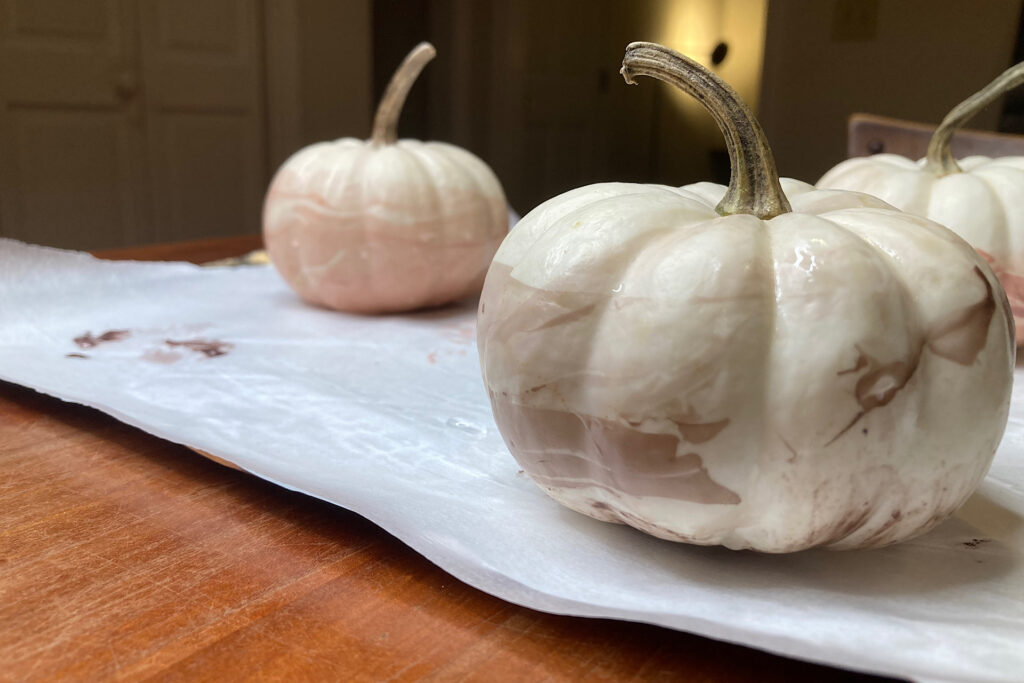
(138, 121)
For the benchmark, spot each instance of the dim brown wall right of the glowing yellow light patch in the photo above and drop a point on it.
(911, 60)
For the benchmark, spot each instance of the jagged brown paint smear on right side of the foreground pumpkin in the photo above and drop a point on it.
(960, 338)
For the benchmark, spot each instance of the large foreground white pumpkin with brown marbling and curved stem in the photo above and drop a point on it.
(711, 366)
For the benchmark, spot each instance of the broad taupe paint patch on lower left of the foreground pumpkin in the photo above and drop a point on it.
(561, 449)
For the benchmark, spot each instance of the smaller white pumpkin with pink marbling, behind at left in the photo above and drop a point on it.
(385, 226)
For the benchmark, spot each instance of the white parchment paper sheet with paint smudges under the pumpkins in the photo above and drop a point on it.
(389, 417)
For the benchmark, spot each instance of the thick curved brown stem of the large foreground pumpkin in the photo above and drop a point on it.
(754, 187)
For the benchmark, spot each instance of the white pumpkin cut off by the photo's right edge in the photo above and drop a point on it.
(979, 198)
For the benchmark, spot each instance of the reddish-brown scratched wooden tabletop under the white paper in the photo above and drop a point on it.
(124, 557)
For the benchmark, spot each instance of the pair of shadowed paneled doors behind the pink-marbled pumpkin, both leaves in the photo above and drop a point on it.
(126, 122)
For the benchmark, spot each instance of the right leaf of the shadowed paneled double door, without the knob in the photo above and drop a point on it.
(202, 64)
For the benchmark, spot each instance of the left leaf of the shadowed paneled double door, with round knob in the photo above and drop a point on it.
(70, 144)
